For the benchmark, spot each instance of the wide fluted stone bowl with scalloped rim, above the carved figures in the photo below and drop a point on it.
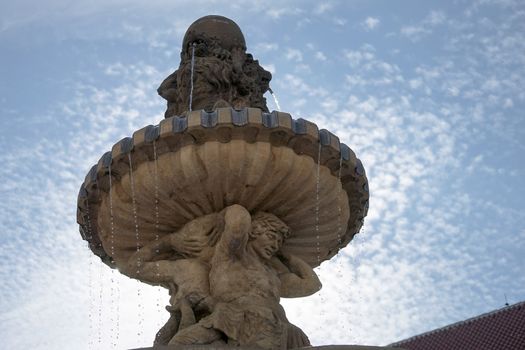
(164, 176)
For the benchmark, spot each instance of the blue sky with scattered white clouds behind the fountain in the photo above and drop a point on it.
(430, 95)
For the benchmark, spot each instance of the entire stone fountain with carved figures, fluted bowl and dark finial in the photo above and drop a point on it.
(225, 204)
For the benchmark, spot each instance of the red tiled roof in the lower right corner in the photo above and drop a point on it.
(500, 329)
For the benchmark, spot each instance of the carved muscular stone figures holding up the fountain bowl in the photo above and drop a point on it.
(226, 275)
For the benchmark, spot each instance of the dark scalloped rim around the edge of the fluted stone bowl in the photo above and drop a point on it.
(224, 125)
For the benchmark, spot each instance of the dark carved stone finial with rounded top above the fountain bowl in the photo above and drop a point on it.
(223, 73)
